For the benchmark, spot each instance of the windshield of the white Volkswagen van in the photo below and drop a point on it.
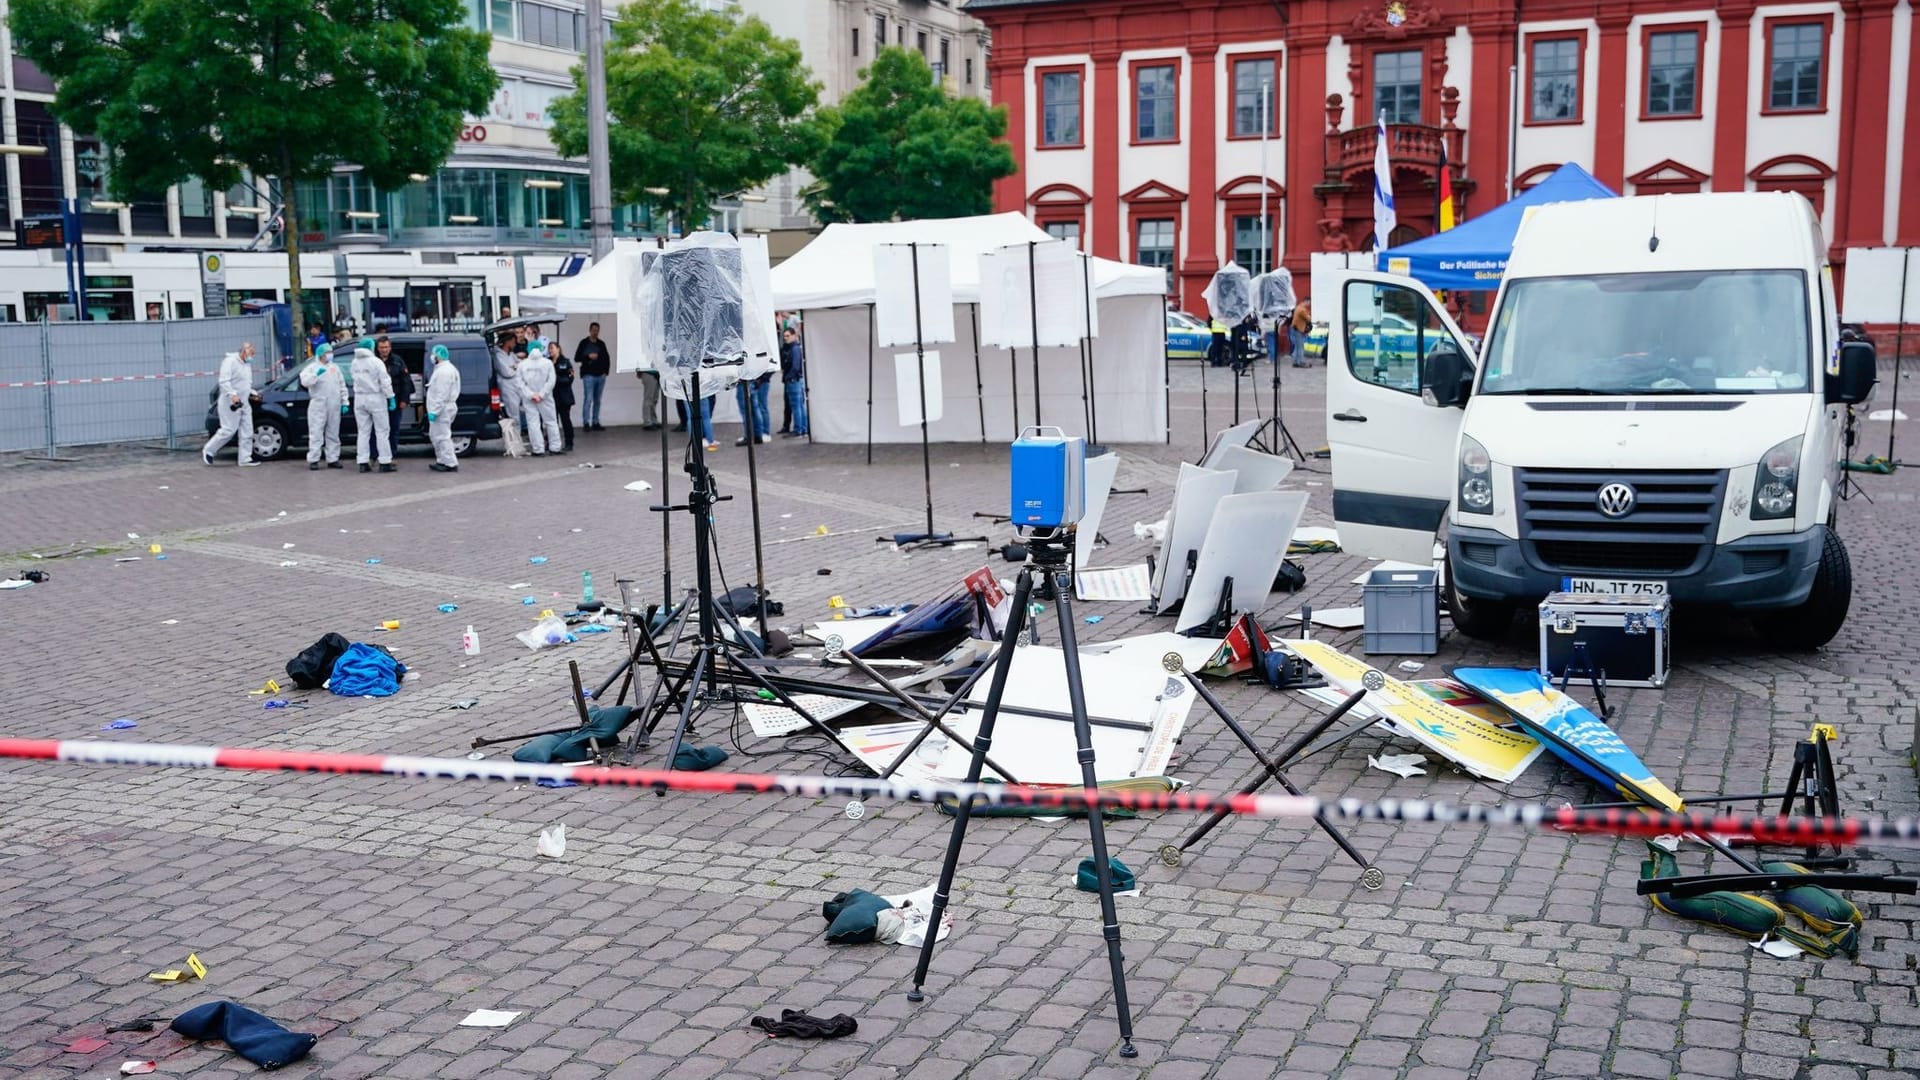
(1652, 333)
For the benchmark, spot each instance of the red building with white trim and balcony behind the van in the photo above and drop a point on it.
(1138, 124)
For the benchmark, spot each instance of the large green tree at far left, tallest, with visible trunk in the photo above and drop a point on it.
(285, 89)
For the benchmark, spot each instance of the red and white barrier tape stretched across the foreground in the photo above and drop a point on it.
(1764, 829)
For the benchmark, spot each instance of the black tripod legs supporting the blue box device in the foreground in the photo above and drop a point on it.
(1047, 576)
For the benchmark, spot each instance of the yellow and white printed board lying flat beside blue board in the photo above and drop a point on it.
(1462, 739)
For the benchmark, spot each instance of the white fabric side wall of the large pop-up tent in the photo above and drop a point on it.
(1128, 381)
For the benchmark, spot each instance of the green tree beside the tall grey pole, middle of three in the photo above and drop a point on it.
(702, 107)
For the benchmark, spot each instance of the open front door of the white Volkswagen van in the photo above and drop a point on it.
(1393, 453)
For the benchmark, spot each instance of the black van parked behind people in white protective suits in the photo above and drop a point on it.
(281, 416)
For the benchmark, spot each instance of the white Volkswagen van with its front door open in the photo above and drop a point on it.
(1658, 408)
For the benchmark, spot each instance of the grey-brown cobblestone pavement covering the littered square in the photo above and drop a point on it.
(379, 912)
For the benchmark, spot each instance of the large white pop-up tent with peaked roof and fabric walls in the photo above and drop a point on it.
(852, 380)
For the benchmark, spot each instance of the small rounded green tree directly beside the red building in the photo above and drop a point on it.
(903, 149)
